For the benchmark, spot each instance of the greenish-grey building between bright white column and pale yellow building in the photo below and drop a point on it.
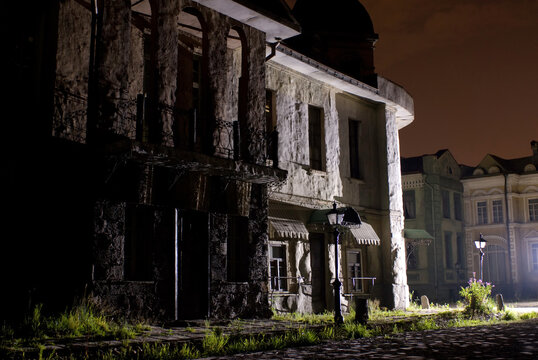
(435, 241)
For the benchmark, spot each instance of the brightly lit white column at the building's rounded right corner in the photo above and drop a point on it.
(393, 245)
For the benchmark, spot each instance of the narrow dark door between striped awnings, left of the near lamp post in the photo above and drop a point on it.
(318, 261)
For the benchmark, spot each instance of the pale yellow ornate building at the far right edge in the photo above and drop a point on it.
(501, 202)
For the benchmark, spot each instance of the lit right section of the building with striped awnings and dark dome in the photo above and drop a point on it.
(338, 128)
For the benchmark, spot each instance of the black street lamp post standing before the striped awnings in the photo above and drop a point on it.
(337, 219)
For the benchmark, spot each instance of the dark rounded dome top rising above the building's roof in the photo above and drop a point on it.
(334, 16)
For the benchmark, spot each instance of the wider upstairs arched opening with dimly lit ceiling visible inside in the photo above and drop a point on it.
(190, 117)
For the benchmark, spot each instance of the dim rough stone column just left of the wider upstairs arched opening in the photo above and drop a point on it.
(164, 34)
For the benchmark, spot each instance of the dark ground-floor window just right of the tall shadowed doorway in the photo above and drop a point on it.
(237, 250)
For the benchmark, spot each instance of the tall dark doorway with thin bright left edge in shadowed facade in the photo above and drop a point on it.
(193, 263)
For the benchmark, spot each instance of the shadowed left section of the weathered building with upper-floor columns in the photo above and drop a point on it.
(149, 150)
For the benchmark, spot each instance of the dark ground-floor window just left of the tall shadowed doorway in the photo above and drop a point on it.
(138, 244)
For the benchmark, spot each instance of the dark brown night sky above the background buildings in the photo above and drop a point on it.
(472, 69)
